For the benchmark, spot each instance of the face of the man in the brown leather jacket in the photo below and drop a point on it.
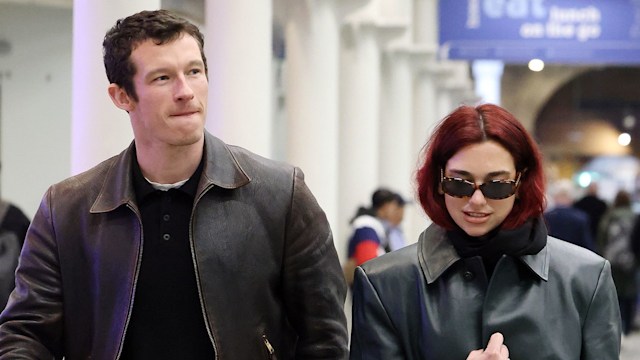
(172, 89)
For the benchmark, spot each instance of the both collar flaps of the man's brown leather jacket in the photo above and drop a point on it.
(221, 169)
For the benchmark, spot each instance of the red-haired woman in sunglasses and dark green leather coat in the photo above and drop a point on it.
(485, 268)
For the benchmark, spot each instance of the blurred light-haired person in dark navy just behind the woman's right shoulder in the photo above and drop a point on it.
(563, 220)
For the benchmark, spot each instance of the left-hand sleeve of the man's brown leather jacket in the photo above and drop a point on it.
(31, 324)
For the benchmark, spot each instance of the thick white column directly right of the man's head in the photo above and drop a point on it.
(238, 50)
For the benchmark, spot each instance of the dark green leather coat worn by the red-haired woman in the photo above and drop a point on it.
(425, 302)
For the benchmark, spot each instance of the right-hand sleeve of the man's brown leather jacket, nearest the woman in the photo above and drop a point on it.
(314, 285)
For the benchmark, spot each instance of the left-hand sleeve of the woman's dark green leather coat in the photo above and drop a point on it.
(372, 335)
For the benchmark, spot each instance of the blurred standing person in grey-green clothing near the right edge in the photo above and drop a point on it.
(614, 240)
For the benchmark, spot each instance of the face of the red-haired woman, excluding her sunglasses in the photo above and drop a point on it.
(478, 163)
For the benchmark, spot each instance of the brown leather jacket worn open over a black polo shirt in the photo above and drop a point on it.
(268, 274)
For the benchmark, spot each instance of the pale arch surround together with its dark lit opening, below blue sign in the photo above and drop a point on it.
(575, 113)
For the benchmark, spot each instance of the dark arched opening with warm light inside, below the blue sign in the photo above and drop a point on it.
(584, 117)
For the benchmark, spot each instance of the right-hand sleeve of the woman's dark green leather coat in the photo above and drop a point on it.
(602, 329)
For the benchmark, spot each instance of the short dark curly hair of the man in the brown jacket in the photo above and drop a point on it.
(160, 25)
